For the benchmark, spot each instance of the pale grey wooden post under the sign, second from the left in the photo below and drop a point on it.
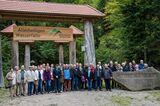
(27, 56)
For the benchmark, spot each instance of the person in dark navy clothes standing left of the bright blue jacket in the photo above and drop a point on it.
(57, 75)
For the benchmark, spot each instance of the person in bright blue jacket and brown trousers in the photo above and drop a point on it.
(67, 79)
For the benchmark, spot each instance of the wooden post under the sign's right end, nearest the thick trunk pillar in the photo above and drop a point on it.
(72, 52)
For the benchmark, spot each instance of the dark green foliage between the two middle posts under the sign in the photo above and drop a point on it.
(42, 52)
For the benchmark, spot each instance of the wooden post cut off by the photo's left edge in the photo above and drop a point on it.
(1, 70)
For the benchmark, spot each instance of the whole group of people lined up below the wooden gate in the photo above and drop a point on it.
(59, 78)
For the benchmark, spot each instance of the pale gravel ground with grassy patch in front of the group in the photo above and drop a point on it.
(85, 98)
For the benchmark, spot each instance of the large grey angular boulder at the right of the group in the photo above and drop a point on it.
(141, 80)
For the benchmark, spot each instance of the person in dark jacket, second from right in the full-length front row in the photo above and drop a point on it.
(99, 75)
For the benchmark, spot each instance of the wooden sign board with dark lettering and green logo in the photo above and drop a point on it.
(33, 33)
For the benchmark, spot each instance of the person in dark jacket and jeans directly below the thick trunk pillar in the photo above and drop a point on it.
(90, 76)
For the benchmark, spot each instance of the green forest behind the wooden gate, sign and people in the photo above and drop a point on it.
(129, 31)
